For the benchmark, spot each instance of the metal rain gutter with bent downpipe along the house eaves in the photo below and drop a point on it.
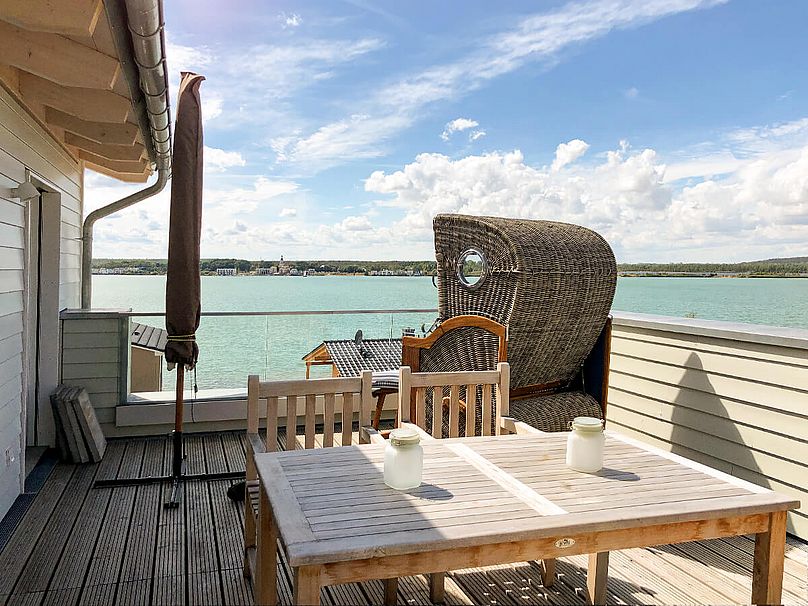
(137, 30)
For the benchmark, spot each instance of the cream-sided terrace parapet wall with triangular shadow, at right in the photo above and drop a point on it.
(731, 401)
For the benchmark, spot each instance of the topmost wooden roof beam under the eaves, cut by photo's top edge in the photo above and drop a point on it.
(69, 18)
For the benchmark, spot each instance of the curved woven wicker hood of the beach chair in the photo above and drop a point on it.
(551, 283)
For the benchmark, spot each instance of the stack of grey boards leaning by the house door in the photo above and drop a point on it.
(78, 435)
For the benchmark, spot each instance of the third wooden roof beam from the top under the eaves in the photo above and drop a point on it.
(84, 103)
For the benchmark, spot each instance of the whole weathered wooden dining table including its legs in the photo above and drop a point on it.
(496, 500)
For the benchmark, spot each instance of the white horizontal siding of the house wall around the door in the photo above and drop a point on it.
(25, 145)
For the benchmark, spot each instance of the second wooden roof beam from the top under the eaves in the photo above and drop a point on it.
(56, 58)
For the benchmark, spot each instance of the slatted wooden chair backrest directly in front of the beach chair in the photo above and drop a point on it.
(491, 383)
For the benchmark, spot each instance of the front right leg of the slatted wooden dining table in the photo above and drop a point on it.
(767, 573)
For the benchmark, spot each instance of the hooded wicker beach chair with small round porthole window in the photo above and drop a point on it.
(552, 285)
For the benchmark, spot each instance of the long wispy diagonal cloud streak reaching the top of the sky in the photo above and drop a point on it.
(539, 38)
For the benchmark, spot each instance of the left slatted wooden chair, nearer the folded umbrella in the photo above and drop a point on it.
(356, 400)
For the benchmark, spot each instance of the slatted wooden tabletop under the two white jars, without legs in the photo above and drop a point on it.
(488, 490)
